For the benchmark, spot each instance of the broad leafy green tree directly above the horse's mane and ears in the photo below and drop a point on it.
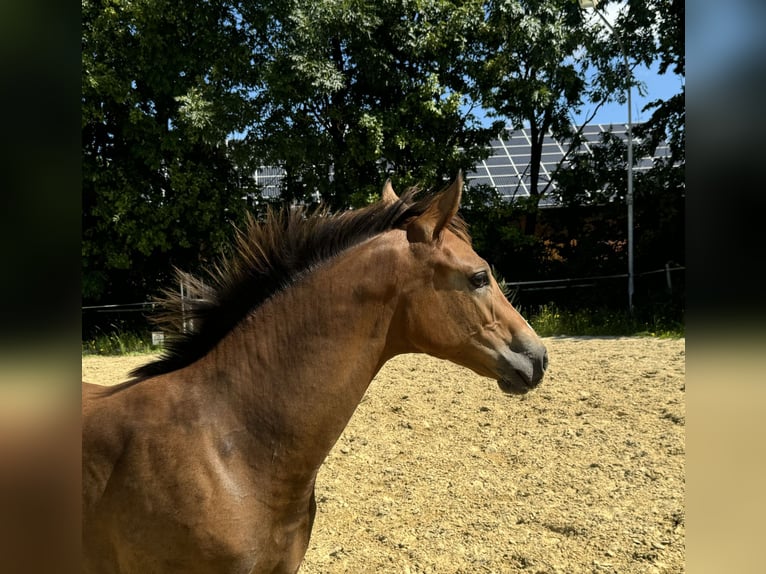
(358, 91)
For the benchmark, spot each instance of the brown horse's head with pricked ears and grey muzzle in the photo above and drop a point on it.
(453, 308)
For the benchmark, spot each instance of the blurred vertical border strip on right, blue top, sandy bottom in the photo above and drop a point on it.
(726, 340)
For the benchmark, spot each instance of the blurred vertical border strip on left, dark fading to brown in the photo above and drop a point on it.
(39, 287)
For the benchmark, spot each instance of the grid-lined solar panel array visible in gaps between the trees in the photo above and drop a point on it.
(507, 168)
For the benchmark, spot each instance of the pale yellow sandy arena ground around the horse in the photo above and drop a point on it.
(440, 472)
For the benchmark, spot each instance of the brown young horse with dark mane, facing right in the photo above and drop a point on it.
(205, 459)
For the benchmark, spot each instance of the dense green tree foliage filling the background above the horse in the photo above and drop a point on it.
(182, 100)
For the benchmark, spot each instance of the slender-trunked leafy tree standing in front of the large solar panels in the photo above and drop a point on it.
(529, 74)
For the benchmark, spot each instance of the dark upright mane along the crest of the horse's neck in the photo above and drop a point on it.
(268, 257)
